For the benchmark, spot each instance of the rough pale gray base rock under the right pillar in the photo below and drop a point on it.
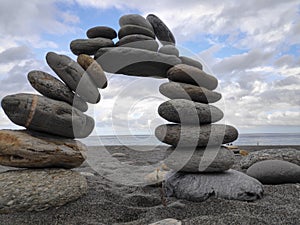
(231, 185)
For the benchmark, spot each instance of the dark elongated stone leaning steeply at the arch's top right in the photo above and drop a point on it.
(162, 32)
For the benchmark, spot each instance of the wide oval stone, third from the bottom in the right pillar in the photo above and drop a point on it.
(195, 135)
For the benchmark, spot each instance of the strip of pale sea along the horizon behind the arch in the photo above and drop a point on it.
(244, 139)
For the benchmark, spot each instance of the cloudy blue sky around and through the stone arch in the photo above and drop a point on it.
(251, 47)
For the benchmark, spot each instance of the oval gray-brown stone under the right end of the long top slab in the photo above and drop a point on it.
(192, 75)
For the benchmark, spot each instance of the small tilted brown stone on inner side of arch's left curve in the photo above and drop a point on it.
(93, 69)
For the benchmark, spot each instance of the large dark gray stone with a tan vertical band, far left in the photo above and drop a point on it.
(47, 115)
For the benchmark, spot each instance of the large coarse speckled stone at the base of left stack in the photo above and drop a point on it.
(39, 189)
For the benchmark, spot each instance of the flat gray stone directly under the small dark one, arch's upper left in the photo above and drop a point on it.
(89, 46)
